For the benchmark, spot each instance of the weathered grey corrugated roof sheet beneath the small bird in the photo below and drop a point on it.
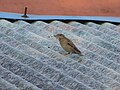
(32, 59)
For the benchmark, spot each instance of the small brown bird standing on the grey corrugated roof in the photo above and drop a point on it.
(67, 44)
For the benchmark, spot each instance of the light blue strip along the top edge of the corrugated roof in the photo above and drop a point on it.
(16, 16)
